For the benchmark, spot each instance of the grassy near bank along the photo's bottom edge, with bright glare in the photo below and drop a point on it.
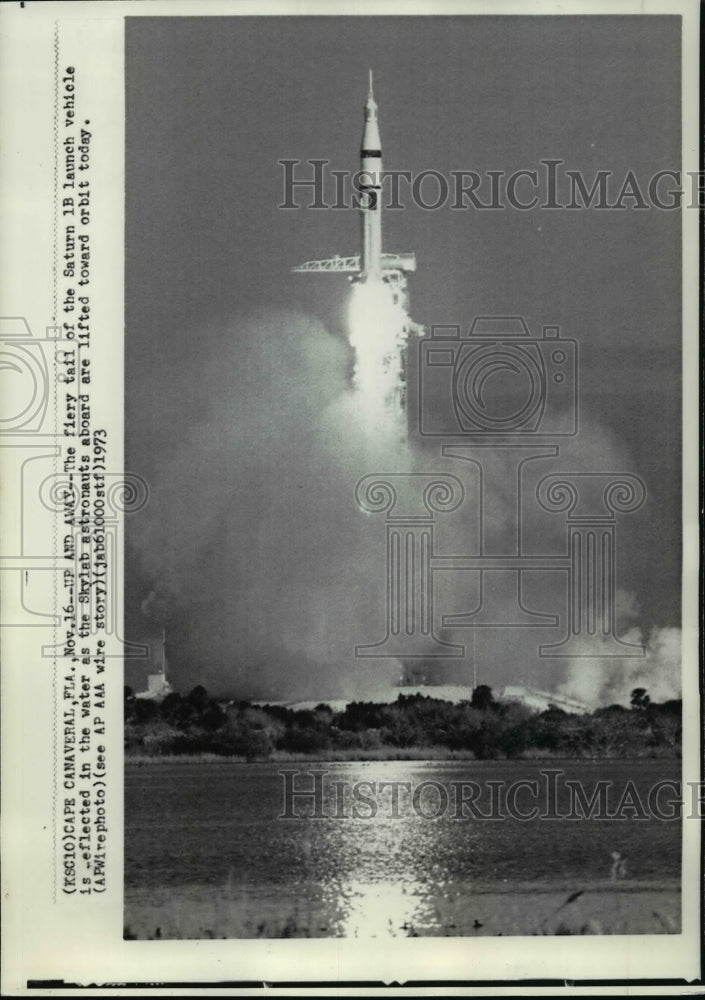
(527, 910)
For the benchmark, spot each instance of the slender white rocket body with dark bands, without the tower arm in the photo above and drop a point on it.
(371, 192)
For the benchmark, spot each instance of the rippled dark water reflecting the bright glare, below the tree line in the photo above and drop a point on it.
(206, 832)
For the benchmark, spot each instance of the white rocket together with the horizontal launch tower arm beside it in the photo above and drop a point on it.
(371, 264)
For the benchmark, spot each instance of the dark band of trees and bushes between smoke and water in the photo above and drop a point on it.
(481, 727)
